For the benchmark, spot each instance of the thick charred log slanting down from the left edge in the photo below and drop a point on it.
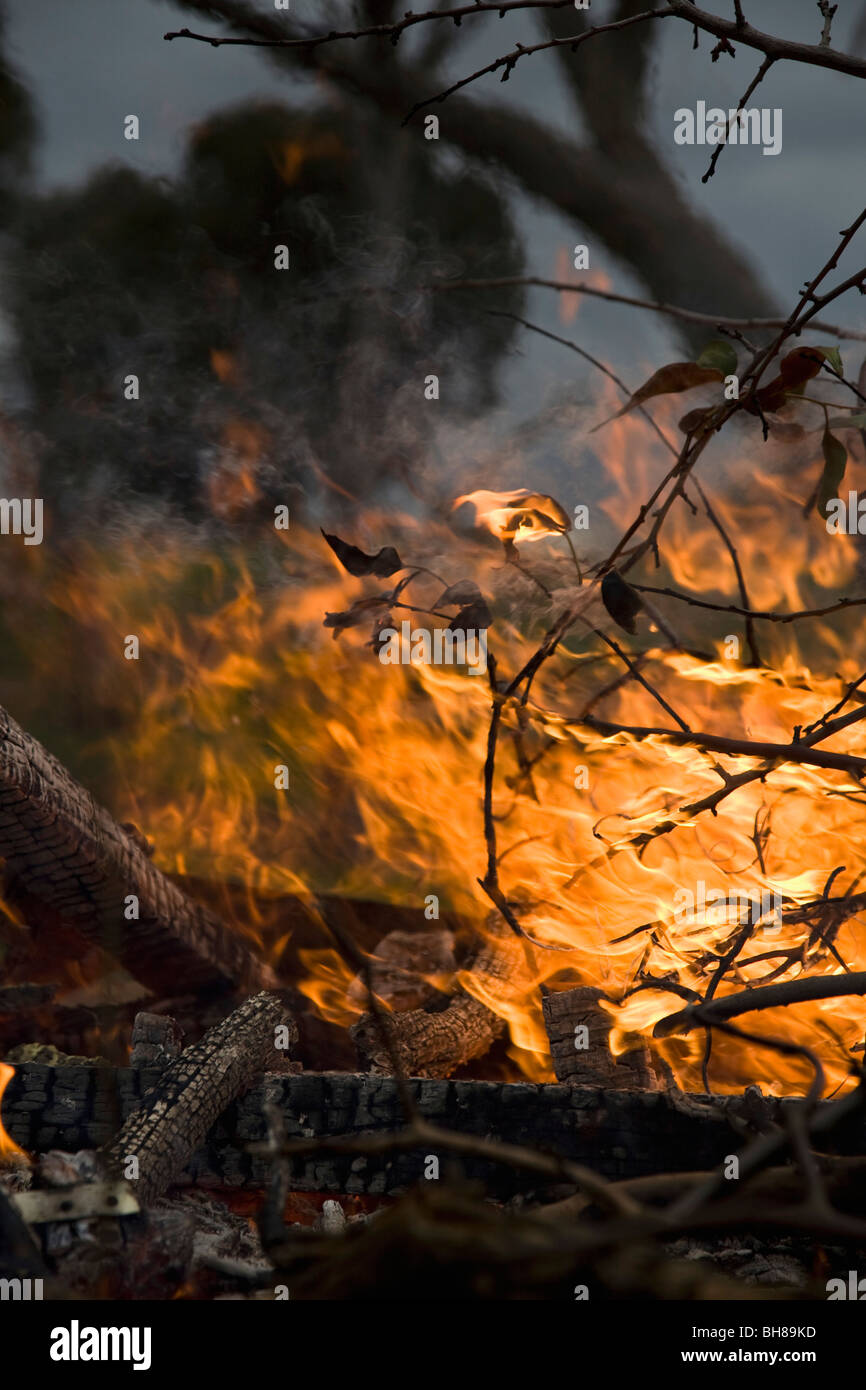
(73, 856)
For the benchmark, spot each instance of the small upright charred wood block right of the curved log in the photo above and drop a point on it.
(591, 1064)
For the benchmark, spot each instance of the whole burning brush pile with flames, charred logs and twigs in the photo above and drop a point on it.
(480, 893)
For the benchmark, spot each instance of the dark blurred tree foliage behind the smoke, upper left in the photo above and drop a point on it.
(255, 384)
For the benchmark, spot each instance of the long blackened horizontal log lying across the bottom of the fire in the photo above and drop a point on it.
(616, 1134)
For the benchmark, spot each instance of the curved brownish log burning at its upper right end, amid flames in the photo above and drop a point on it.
(437, 1043)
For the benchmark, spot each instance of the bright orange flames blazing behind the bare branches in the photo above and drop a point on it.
(386, 762)
